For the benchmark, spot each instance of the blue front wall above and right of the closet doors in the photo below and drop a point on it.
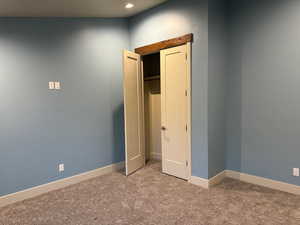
(169, 20)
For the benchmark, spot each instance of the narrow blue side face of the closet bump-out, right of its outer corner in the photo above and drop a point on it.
(217, 84)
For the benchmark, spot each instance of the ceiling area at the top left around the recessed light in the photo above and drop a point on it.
(73, 8)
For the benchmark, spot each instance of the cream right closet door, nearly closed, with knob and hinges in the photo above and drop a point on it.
(174, 109)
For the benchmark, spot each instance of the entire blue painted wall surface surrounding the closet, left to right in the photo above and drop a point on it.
(82, 124)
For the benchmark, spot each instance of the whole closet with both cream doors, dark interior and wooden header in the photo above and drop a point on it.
(157, 106)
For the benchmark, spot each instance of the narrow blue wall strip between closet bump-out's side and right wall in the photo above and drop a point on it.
(234, 92)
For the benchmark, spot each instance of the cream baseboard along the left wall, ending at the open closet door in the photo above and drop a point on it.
(42, 189)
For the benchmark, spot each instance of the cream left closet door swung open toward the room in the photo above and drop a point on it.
(133, 112)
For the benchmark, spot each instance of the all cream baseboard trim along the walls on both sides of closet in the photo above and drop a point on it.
(205, 183)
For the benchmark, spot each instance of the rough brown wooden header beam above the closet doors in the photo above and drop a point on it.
(156, 47)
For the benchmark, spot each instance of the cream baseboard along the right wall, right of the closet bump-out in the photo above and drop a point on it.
(273, 184)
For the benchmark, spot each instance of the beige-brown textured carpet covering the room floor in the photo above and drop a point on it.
(149, 197)
